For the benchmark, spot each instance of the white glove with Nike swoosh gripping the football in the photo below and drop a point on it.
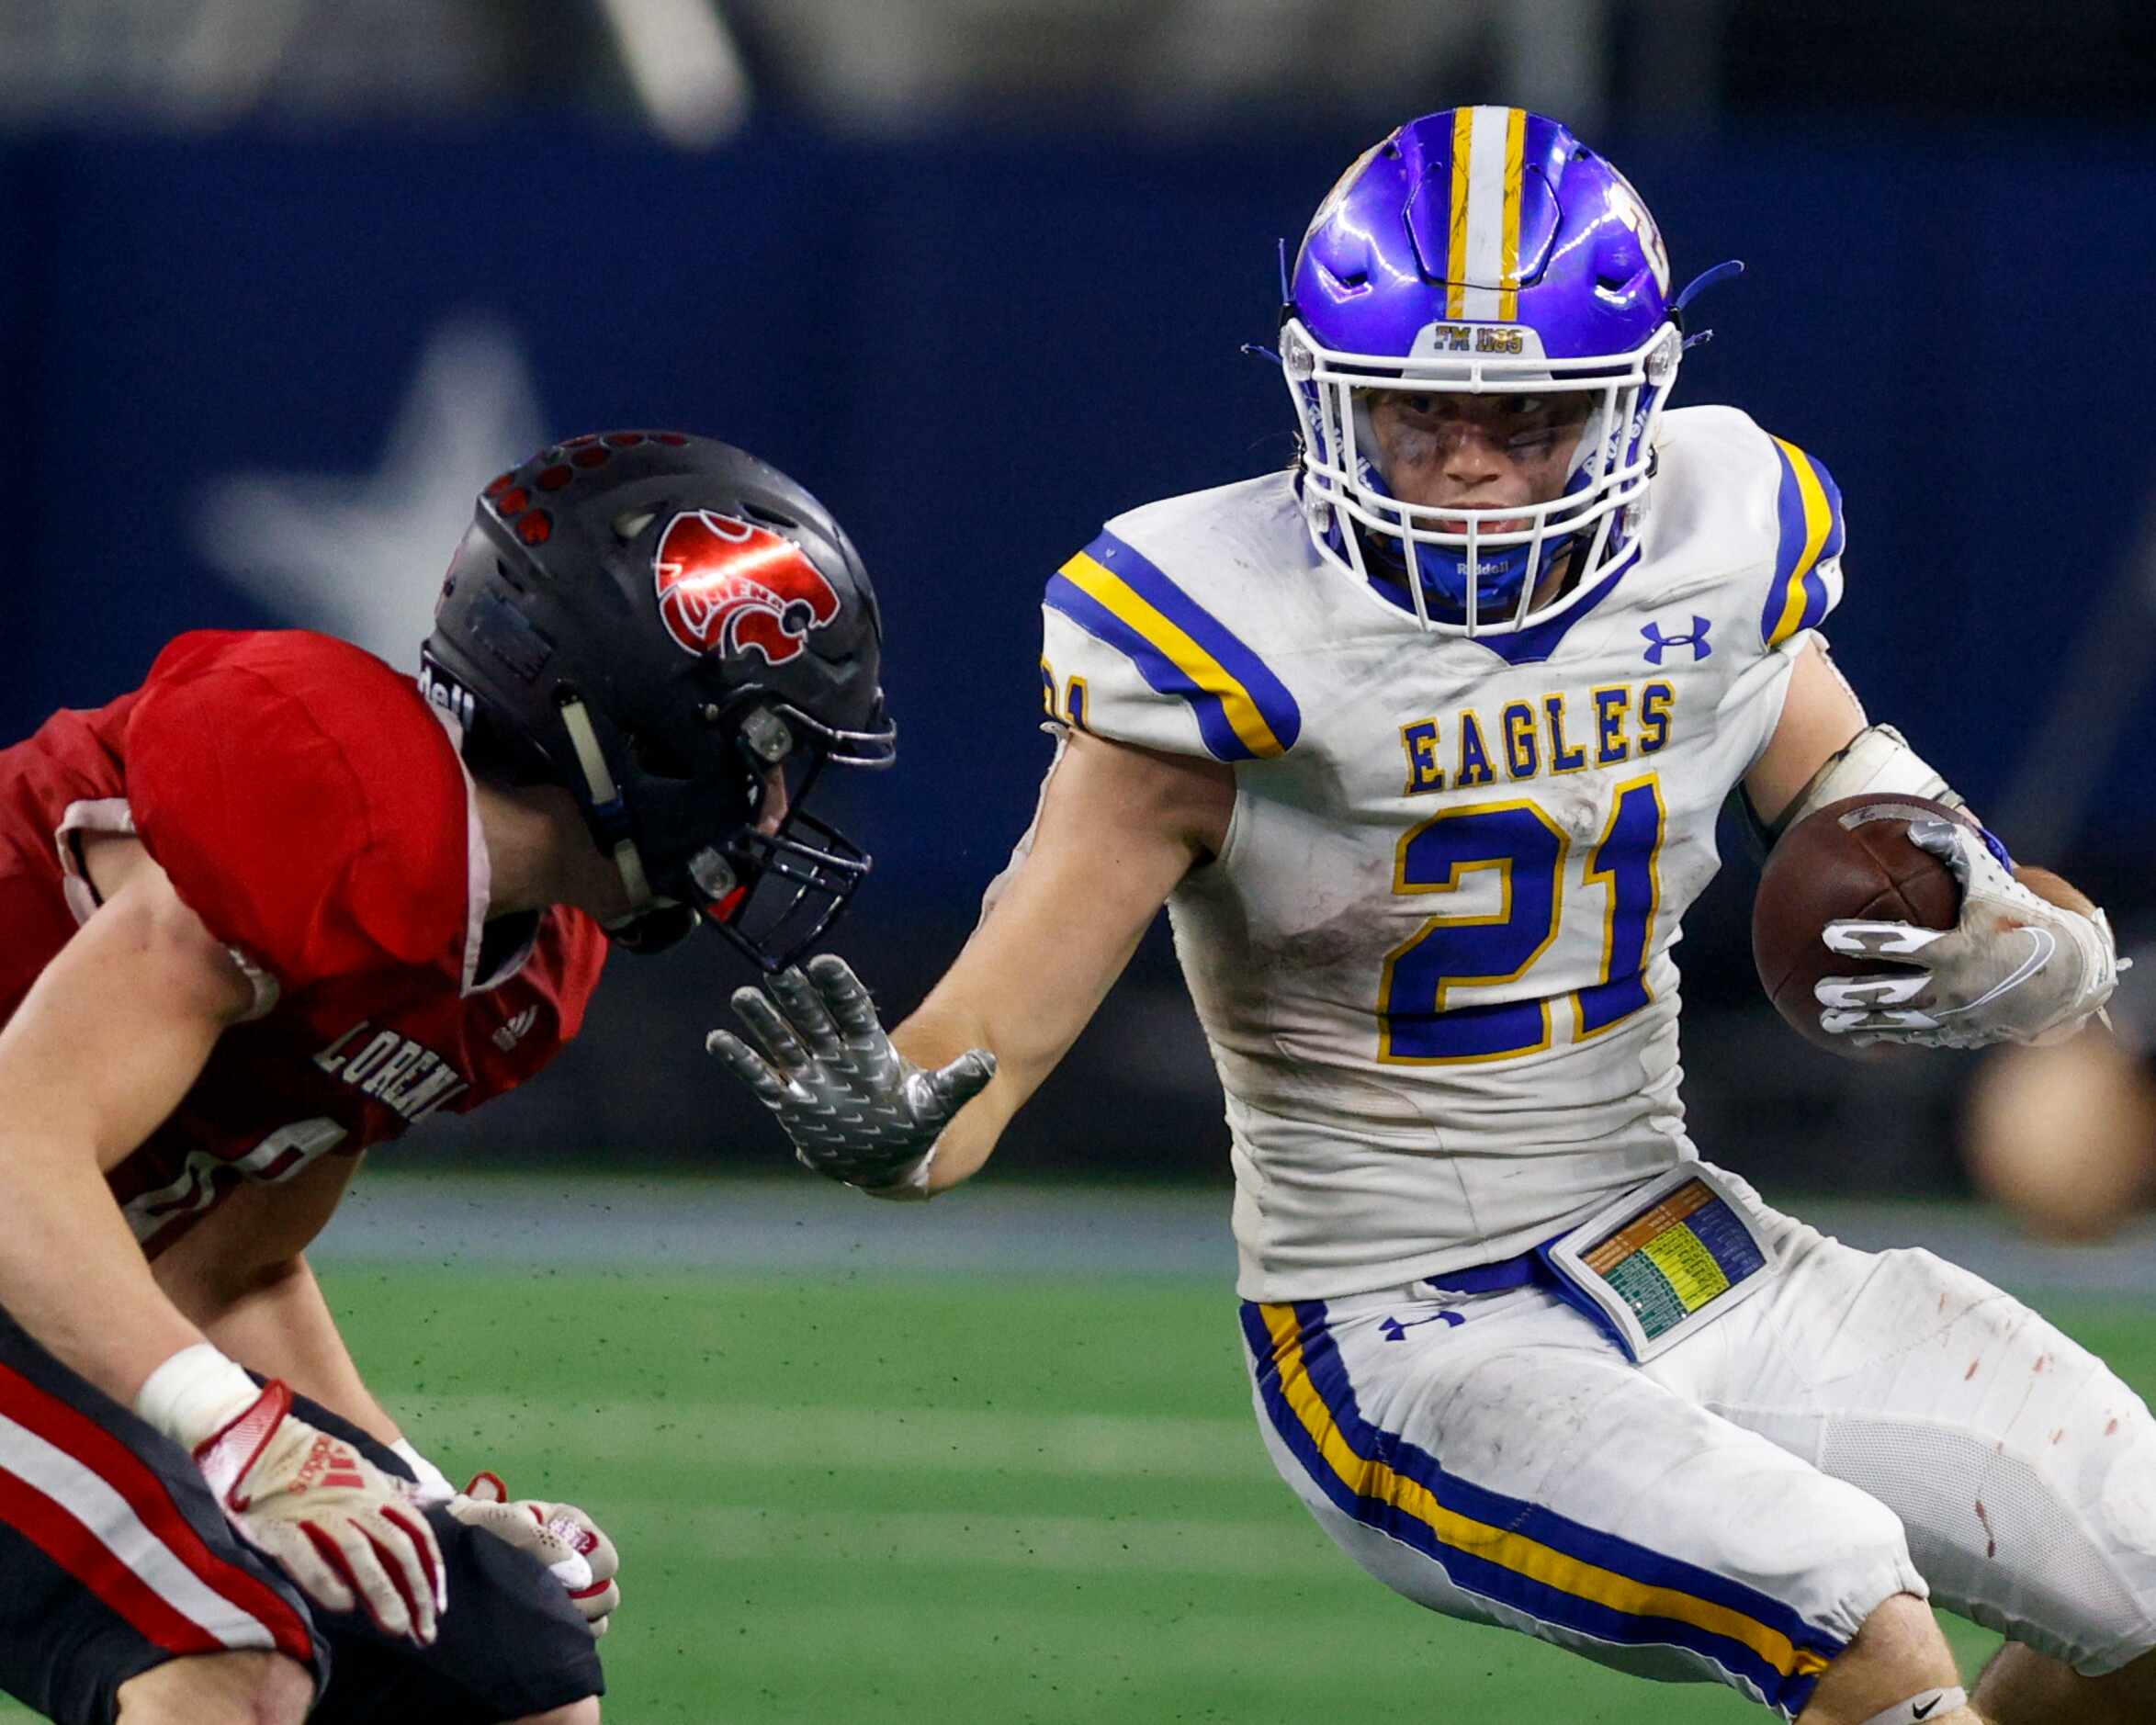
(2013, 969)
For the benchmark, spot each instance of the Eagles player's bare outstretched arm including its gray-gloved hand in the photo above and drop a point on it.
(1118, 829)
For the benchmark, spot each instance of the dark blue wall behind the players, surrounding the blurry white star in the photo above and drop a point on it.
(978, 346)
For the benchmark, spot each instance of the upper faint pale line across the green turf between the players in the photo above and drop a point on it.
(920, 1439)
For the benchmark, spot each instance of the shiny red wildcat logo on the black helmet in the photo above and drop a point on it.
(728, 585)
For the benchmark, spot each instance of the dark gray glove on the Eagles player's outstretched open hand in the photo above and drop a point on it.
(855, 1107)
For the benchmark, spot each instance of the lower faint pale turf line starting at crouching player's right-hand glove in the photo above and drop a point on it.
(790, 1534)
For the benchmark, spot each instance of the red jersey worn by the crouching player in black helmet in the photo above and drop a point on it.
(312, 810)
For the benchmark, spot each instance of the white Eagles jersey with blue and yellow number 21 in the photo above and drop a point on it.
(1435, 958)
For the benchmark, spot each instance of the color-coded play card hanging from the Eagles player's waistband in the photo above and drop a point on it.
(1666, 1260)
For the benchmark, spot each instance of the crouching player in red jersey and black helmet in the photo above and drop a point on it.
(268, 911)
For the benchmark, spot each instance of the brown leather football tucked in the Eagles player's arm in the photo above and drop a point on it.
(1851, 859)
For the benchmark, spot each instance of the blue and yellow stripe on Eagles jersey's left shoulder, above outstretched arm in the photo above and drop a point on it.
(1122, 598)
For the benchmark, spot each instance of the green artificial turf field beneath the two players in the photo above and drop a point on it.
(887, 1498)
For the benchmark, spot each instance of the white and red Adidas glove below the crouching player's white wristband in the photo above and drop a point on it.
(344, 1530)
